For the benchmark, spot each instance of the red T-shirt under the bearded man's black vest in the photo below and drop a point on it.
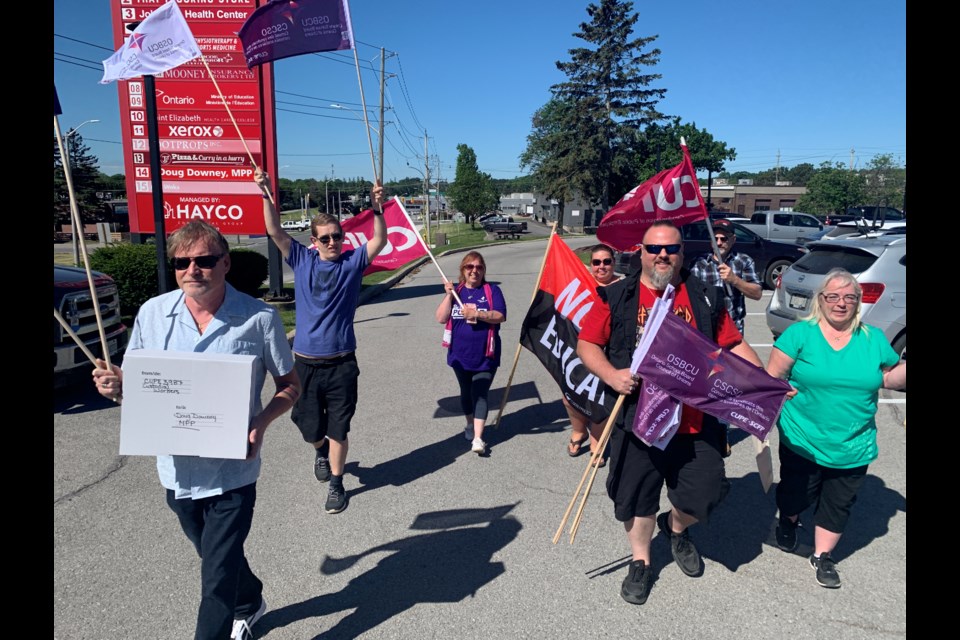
(596, 330)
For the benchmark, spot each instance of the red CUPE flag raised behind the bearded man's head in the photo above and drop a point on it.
(673, 194)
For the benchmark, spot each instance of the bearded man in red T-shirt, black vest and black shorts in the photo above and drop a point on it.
(692, 463)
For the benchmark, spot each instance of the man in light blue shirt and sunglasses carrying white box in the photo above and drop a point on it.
(213, 497)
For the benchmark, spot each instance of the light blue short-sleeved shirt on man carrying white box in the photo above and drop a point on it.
(242, 325)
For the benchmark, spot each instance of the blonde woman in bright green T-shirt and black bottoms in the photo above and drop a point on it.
(828, 430)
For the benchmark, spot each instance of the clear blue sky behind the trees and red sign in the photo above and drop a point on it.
(808, 81)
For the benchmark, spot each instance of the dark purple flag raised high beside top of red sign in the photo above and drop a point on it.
(287, 28)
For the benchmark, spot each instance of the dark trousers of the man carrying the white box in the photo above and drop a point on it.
(217, 527)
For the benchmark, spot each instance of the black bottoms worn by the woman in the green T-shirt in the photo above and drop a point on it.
(804, 482)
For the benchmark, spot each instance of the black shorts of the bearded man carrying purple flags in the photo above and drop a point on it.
(691, 466)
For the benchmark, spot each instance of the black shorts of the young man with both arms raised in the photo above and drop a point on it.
(329, 397)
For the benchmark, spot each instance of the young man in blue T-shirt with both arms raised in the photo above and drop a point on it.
(327, 284)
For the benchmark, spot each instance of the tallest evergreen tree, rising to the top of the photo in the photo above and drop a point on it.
(610, 97)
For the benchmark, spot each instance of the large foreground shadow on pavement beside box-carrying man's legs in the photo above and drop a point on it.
(447, 565)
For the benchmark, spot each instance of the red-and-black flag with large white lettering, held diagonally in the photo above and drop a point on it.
(567, 292)
